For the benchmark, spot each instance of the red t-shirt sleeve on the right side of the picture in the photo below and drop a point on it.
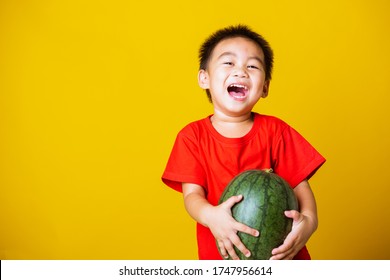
(295, 158)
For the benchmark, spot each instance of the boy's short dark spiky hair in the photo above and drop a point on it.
(207, 48)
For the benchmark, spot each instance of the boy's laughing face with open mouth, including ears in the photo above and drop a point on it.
(235, 76)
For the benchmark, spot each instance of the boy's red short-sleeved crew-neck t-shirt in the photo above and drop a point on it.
(202, 156)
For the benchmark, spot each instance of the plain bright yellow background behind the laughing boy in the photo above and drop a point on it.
(92, 94)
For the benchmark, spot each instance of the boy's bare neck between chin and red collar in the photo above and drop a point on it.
(232, 127)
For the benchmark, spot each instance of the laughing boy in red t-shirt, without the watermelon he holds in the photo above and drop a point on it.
(235, 70)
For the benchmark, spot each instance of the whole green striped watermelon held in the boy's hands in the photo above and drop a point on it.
(265, 198)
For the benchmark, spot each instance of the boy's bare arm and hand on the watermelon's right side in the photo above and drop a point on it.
(305, 223)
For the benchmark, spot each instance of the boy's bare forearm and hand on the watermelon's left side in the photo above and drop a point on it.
(218, 219)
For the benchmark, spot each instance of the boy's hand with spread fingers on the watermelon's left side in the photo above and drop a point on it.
(224, 228)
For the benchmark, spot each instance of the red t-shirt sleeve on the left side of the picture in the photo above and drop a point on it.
(185, 162)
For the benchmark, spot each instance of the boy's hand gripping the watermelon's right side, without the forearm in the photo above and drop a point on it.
(303, 227)
